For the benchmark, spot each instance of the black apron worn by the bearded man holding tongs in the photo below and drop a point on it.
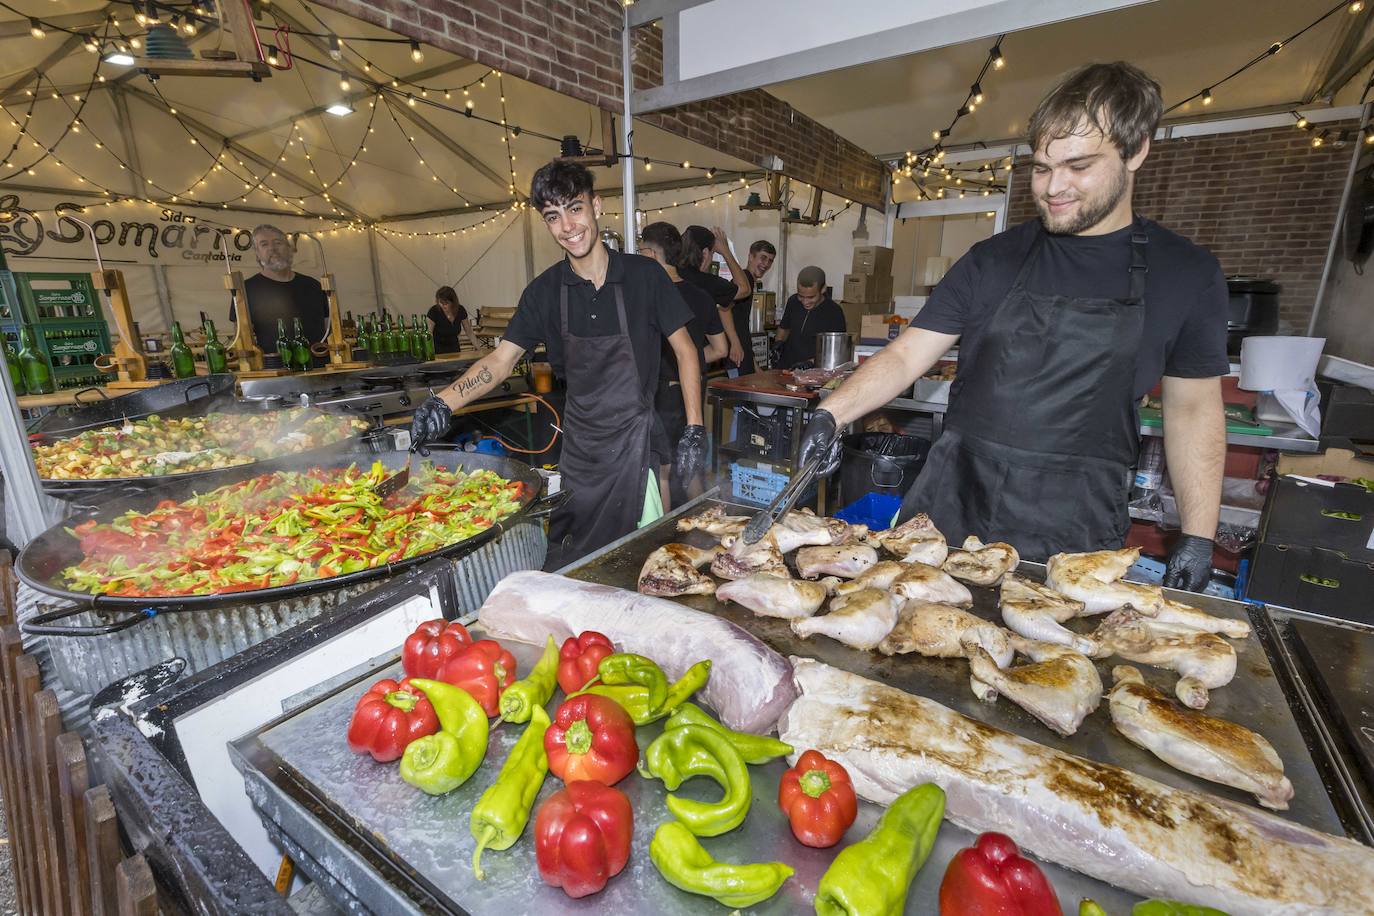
(1042, 432)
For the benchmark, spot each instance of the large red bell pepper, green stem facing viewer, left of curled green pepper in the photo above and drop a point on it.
(592, 738)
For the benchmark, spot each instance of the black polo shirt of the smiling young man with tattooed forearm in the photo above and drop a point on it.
(653, 310)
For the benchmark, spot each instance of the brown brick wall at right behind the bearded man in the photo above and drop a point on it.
(1265, 203)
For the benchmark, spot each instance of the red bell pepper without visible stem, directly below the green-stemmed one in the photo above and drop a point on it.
(582, 837)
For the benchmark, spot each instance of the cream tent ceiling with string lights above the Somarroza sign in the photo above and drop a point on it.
(392, 178)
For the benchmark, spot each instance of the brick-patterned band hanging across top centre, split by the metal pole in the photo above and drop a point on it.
(574, 47)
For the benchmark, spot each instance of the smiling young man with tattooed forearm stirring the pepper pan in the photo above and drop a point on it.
(602, 317)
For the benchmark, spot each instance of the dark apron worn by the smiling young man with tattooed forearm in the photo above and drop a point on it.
(608, 422)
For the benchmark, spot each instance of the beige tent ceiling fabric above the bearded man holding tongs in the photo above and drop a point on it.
(892, 106)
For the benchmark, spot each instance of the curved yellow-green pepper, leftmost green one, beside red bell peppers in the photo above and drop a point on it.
(442, 763)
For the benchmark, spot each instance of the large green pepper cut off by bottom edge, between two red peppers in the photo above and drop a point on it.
(875, 875)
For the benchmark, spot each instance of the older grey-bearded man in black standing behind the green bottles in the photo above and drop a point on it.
(278, 292)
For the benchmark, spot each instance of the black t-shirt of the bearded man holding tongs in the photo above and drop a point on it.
(1185, 293)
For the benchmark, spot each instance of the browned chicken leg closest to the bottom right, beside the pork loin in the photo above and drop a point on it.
(1196, 744)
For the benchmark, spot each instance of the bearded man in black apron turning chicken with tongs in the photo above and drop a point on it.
(1064, 323)
